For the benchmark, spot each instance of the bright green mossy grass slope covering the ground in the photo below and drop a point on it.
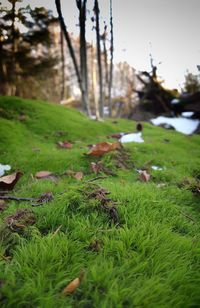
(151, 260)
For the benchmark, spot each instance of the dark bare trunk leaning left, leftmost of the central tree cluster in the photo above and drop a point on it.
(72, 54)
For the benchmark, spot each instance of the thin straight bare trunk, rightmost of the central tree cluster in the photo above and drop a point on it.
(111, 60)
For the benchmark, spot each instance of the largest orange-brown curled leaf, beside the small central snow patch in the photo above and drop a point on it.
(104, 147)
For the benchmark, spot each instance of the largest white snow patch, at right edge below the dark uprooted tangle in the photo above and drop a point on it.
(182, 125)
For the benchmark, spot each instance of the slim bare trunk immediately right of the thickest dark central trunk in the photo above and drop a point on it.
(98, 39)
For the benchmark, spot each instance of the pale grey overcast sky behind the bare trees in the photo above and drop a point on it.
(169, 30)
